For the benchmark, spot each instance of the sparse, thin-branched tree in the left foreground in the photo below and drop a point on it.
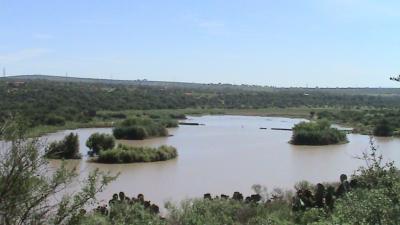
(28, 187)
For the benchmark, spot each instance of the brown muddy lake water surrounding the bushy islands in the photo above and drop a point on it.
(227, 154)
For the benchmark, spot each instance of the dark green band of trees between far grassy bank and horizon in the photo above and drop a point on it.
(44, 102)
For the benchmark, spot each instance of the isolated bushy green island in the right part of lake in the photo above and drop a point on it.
(317, 133)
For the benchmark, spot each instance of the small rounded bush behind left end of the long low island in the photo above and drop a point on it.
(98, 142)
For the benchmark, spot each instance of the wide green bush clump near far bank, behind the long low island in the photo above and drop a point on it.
(140, 128)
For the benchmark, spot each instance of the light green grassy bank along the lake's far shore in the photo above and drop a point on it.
(110, 118)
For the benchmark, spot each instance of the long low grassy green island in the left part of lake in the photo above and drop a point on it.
(131, 154)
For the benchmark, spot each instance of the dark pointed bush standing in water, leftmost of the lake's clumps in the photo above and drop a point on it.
(68, 148)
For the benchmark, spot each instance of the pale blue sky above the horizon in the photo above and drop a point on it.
(324, 43)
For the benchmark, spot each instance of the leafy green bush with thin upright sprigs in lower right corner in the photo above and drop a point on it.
(376, 198)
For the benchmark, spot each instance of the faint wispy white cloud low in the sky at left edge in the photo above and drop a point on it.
(23, 54)
